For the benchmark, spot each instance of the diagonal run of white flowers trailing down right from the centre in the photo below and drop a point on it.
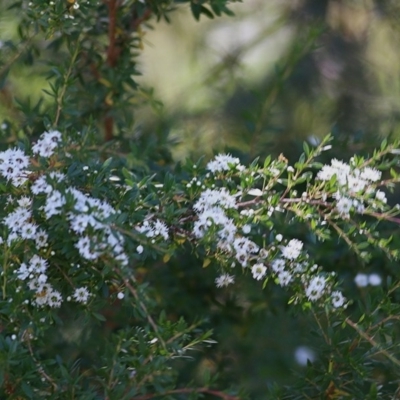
(289, 268)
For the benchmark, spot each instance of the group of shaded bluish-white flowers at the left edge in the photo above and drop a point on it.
(87, 219)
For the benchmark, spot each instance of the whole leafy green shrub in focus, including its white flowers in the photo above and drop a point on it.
(126, 276)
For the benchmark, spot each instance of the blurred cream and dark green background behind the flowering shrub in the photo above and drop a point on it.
(276, 74)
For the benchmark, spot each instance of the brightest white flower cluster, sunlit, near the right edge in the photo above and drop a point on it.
(354, 184)
